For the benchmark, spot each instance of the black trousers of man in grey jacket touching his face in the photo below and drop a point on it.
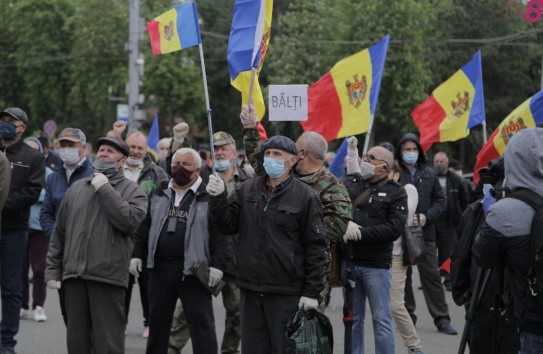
(97, 313)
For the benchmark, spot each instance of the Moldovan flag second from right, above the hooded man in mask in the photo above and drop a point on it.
(454, 107)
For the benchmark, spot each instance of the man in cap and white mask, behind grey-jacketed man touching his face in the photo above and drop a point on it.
(73, 143)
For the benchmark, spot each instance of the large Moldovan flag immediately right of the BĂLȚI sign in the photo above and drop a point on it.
(343, 101)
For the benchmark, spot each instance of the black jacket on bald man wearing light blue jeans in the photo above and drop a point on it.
(382, 217)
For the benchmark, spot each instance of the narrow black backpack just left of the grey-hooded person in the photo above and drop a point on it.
(472, 218)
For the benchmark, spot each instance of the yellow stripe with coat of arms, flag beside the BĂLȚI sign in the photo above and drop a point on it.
(353, 79)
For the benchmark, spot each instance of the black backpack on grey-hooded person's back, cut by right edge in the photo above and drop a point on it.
(534, 288)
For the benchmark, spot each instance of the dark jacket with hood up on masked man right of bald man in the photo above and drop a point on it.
(431, 196)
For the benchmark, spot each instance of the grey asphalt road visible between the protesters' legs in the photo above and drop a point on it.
(50, 337)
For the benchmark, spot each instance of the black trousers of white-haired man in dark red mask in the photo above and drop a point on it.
(166, 285)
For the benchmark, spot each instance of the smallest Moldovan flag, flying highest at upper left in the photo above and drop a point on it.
(175, 29)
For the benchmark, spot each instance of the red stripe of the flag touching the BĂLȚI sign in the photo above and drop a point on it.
(324, 109)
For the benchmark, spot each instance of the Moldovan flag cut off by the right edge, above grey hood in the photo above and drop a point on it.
(528, 115)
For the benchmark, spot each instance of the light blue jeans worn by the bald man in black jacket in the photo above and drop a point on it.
(373, 284)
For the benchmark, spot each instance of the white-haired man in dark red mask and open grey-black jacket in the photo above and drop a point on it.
(177, 236)
